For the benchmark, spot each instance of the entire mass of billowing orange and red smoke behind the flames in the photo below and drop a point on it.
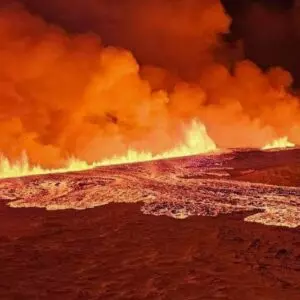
(65, 94)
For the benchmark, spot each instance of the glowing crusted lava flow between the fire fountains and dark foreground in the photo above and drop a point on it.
(263, 183)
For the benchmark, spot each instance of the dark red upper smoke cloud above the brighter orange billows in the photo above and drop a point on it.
(180, 35)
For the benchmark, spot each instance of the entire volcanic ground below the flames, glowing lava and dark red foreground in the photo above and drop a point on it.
(220, 226)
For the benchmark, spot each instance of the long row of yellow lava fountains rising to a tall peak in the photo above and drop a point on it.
(196, 141)
